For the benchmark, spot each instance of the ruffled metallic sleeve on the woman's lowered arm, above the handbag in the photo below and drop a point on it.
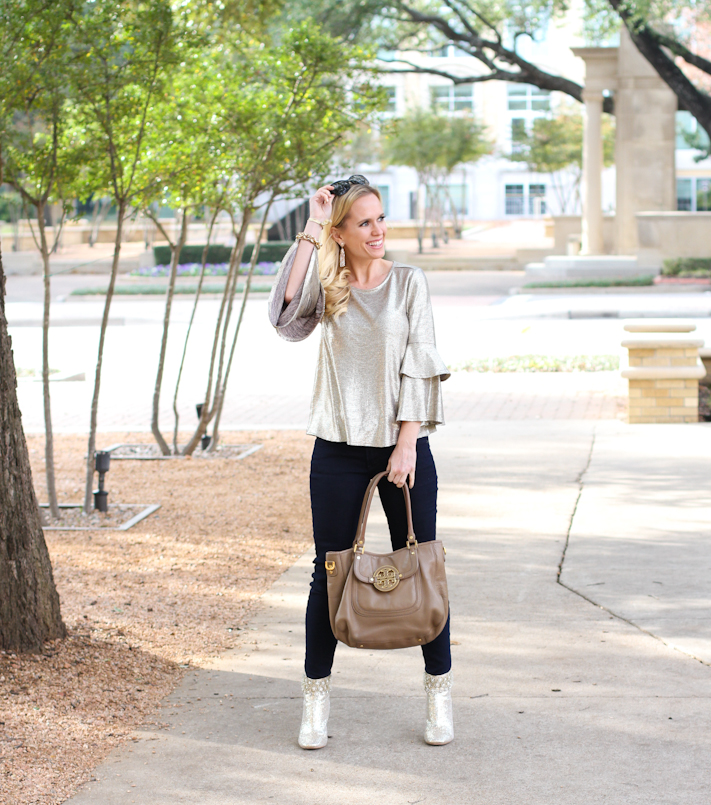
(422, 369)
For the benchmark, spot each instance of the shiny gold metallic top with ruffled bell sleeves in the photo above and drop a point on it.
(378, 364)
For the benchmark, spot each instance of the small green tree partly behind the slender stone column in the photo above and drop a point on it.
(554, 145)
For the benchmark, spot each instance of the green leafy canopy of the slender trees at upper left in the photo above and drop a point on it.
(146, 102)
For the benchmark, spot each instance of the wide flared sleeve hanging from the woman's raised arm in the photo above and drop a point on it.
(298, 319)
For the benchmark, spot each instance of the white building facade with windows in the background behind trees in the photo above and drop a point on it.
(495, 187)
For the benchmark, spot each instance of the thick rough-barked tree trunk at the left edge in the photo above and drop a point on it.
(29, 604)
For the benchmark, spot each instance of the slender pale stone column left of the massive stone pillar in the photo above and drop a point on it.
(592, 240)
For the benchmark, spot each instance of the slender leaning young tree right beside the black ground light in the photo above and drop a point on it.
(123, 53)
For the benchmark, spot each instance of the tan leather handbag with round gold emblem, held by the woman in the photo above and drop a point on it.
(391, 600)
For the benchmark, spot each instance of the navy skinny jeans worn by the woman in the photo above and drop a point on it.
(340, 474)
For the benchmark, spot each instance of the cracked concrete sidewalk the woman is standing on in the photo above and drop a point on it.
(557, 700)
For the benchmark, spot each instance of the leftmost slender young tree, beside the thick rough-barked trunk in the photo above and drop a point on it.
(38, 164)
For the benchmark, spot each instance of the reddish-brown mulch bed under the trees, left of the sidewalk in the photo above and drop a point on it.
(143, 605)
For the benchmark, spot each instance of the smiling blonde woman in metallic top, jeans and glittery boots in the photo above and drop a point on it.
(376, 398)
